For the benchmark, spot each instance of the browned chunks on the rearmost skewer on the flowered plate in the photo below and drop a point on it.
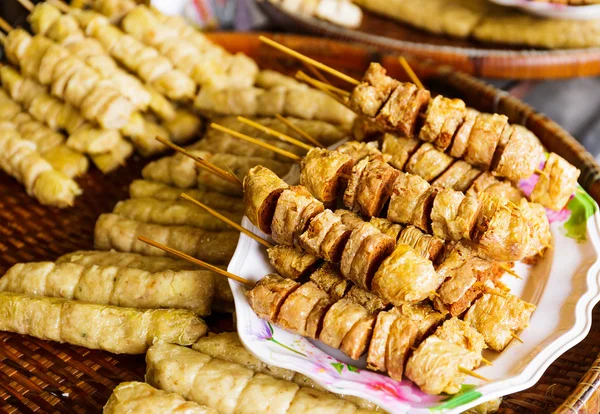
(485, 141)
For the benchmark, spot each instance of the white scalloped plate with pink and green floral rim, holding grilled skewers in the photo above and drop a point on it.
(565, 286)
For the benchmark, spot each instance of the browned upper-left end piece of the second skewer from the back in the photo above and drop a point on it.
(321, 173)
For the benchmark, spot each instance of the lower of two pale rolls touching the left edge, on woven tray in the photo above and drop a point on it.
(113, 329)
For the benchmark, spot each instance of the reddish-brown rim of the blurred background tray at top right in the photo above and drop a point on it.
(475, 58)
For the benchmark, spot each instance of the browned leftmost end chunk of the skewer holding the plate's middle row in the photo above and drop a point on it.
(262, 189)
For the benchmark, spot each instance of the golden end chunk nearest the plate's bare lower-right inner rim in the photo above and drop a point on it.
(497, 315)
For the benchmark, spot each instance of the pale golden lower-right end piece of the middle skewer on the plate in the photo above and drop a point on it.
(405, 277)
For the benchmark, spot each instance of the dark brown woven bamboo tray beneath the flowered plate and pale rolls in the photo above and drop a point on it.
(38, 376)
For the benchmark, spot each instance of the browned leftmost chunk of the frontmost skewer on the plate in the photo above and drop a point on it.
(269, 294)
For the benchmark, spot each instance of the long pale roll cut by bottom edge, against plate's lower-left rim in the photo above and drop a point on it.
(233, 388)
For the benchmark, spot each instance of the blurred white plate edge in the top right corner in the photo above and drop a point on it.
(554, 10)
